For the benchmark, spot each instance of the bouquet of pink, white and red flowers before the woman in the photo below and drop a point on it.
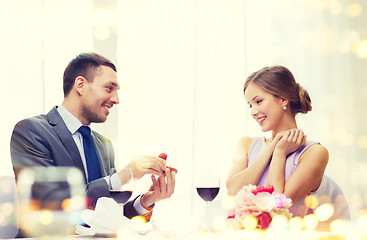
(260, 202)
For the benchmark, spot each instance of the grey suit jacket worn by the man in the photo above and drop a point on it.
(44, 140)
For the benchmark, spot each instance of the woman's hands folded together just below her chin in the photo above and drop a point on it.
(289, 141)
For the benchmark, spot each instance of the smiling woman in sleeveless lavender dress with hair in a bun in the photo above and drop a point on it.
(286, 160)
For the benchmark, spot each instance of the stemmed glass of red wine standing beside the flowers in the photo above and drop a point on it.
(207, 186)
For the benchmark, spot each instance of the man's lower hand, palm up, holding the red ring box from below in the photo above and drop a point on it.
(162, 188)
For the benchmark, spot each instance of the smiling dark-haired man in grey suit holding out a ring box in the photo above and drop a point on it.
(56, 139)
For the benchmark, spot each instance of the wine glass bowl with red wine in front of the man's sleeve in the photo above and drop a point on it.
(122, 194)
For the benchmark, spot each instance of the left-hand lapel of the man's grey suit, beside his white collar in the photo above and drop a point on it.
(66, 138)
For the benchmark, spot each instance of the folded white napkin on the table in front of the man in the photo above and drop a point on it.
(107, 218)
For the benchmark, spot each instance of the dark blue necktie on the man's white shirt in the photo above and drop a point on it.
(93, 166)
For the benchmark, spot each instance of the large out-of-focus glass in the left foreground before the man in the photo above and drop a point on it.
(50, 201)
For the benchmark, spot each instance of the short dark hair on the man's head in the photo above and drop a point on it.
(85, 65)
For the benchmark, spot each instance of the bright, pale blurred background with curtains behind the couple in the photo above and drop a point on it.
(182, 65)
